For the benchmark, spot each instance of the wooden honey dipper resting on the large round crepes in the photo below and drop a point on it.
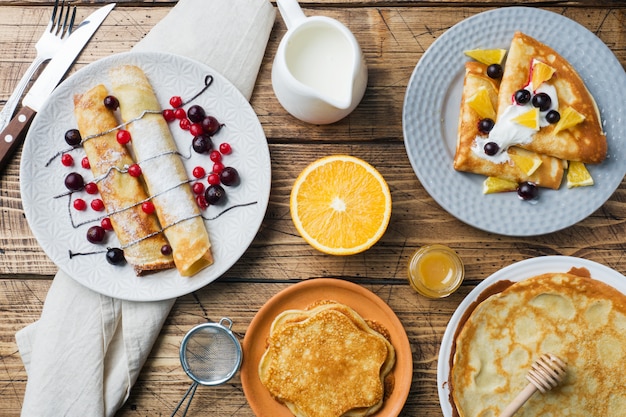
(547, 372)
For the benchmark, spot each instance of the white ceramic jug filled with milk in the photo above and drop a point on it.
(319, 73)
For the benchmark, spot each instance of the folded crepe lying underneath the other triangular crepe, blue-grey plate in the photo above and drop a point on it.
(549, 174)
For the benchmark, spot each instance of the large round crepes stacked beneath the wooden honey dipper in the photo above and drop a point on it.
(577, 318)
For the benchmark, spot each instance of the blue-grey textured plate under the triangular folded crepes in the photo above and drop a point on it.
(431, 110)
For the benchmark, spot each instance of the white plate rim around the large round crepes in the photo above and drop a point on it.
(514, 273)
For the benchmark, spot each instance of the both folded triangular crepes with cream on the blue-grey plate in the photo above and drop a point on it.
(584, 142)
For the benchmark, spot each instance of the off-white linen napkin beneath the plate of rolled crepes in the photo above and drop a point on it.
(85, 352)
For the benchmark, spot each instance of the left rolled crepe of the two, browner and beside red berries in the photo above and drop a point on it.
(138, 232)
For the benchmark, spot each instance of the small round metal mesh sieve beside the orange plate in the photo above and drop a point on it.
(210, 355)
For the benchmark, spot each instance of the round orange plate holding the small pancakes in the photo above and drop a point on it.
(299, 296)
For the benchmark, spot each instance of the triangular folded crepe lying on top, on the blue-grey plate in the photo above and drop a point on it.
(584, 142)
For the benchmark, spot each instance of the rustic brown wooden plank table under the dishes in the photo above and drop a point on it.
(393, 35)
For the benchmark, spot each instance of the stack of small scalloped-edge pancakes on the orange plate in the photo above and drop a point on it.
(327, 361)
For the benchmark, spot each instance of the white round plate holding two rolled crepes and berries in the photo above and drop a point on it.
(230, 234)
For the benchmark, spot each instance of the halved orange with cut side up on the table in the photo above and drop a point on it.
(340, 204)
